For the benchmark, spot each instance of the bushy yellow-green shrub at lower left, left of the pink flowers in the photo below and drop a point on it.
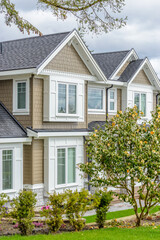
(23, 211)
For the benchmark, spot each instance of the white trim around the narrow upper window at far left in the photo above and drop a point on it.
(17, 111)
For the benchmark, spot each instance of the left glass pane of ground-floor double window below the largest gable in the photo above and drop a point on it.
(61, 166)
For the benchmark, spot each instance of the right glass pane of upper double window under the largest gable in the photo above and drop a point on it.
(72, 99)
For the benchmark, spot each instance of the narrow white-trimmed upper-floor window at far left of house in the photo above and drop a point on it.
(21, 97)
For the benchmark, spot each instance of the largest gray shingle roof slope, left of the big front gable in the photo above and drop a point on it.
(28, 52)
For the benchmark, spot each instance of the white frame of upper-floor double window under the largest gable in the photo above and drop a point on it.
(67, 114)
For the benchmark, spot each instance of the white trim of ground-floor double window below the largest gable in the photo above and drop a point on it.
(66, 165)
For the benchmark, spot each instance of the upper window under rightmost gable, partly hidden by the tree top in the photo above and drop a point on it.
(140, 102)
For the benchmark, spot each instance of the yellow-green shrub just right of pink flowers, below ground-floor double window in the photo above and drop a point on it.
(54, 211)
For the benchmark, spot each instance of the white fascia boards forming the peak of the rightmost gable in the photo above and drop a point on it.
(146, 61)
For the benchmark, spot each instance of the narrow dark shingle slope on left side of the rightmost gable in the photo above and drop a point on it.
(130, 70)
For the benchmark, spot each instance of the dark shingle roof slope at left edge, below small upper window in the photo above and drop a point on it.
(9, 126)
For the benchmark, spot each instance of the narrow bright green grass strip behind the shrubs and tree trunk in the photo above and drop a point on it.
(118, 214)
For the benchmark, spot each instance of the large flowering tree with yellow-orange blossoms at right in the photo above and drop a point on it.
(126, 155)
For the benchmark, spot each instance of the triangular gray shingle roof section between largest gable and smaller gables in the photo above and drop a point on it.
(108, 62)
